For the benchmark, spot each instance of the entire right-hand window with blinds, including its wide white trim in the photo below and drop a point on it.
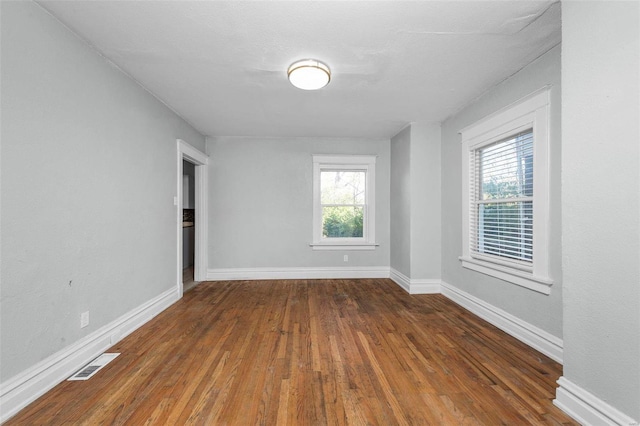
(505, 194)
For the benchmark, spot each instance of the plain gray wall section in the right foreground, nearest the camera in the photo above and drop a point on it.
(600, 200)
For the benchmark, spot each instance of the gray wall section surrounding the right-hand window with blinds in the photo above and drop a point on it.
(540, 310)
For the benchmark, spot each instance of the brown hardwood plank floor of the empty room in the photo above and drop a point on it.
(311, 352)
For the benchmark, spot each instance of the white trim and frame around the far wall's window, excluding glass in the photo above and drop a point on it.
(347, 162)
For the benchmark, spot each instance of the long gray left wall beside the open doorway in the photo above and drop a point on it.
(88, 180)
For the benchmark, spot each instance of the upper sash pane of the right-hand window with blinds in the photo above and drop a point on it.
(506, 168)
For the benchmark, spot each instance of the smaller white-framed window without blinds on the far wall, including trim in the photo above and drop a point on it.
(344, 202)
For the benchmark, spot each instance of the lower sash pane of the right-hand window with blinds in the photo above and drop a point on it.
(506, 230)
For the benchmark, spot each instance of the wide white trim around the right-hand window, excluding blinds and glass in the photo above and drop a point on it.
(530, 112)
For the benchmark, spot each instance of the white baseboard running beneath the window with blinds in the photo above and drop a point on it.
(533, 336)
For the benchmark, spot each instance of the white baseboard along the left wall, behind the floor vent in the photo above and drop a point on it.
(19, 391)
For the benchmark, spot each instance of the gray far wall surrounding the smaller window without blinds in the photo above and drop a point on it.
(260, 202)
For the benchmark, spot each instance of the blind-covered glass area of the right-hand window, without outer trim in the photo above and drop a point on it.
(502, 206)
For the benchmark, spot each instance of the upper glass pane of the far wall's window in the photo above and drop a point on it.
(342, 187)
